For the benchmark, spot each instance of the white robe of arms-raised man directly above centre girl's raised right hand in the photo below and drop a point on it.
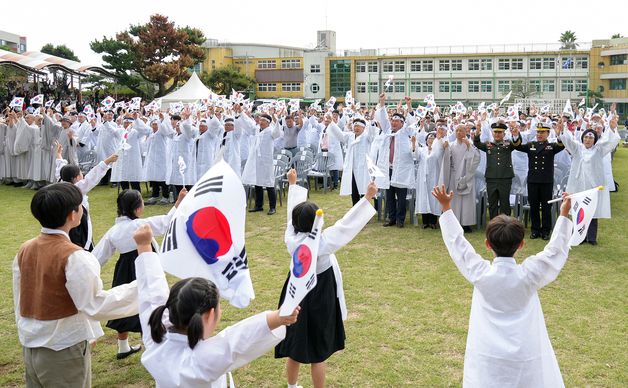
(355, 157)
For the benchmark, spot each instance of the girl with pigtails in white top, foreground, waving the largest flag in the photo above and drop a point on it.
(178, 326)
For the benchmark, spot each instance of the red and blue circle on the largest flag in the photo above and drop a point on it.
(210, 233)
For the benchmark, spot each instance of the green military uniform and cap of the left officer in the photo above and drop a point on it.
(499, 172)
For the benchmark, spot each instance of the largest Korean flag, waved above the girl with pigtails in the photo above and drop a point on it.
(205, 237)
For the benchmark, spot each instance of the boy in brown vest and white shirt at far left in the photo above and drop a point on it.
(59, 296)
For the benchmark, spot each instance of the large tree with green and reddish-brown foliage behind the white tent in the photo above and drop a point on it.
(157, 52)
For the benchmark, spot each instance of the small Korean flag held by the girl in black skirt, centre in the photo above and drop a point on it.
(303, 268)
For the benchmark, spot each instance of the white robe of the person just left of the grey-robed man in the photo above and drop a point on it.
(428, 174)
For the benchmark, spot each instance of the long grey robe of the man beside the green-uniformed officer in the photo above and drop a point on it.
(458, 175)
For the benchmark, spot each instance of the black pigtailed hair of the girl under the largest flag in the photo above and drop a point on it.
(189, 299)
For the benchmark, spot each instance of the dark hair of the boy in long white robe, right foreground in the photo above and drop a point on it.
(505, 235)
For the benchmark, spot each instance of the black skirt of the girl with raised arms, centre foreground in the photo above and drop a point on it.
(319, 331)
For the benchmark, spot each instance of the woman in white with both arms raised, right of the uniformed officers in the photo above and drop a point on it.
(587, 168)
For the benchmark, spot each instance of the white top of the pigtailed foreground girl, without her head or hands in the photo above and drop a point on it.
(172, 362)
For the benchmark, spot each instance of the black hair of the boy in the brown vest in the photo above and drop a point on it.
(51, 205)
